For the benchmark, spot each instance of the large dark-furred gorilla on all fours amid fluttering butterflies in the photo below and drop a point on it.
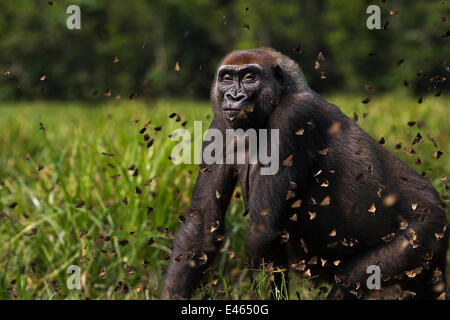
(339, 205)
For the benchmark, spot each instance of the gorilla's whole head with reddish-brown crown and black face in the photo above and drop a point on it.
(246, 87)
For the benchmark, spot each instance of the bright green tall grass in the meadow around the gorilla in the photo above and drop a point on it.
(42, 235)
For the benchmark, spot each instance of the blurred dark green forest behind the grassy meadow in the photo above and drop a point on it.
(150, 37)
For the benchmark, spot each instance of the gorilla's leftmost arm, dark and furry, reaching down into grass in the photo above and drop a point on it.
(197, 240)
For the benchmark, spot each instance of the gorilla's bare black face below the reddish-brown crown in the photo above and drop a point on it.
(246, 94)
